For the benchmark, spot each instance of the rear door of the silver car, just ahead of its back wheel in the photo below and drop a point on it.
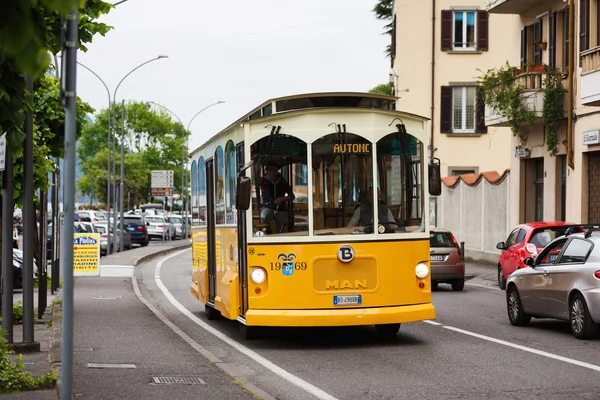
(562, 277)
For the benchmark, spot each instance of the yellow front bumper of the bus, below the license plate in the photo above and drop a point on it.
(341, 317)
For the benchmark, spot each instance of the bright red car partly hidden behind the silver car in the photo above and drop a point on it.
(514, 249)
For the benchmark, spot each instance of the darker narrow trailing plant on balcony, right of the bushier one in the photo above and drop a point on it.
(553, 111)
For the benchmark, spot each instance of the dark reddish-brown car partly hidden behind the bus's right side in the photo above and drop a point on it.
(447, 263)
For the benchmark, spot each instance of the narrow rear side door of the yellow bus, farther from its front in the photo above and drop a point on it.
(210, 223)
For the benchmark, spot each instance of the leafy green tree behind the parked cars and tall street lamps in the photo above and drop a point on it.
(153, 141)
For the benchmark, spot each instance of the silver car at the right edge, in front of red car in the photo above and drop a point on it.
(562, 282)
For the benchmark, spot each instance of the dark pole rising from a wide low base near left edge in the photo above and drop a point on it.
(29, 218)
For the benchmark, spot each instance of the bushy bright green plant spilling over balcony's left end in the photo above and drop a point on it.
(503, 94)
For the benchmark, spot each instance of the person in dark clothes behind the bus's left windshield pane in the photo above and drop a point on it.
(275, 193)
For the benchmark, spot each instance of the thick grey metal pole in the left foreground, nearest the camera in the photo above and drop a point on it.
(69, 200)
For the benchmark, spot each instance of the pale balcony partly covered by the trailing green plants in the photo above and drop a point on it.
(533, 98)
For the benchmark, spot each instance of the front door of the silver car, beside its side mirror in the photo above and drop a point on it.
(532, 284)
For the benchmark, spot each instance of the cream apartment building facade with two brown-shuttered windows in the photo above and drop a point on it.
(438, 48)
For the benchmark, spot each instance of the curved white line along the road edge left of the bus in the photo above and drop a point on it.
(293, 379)
